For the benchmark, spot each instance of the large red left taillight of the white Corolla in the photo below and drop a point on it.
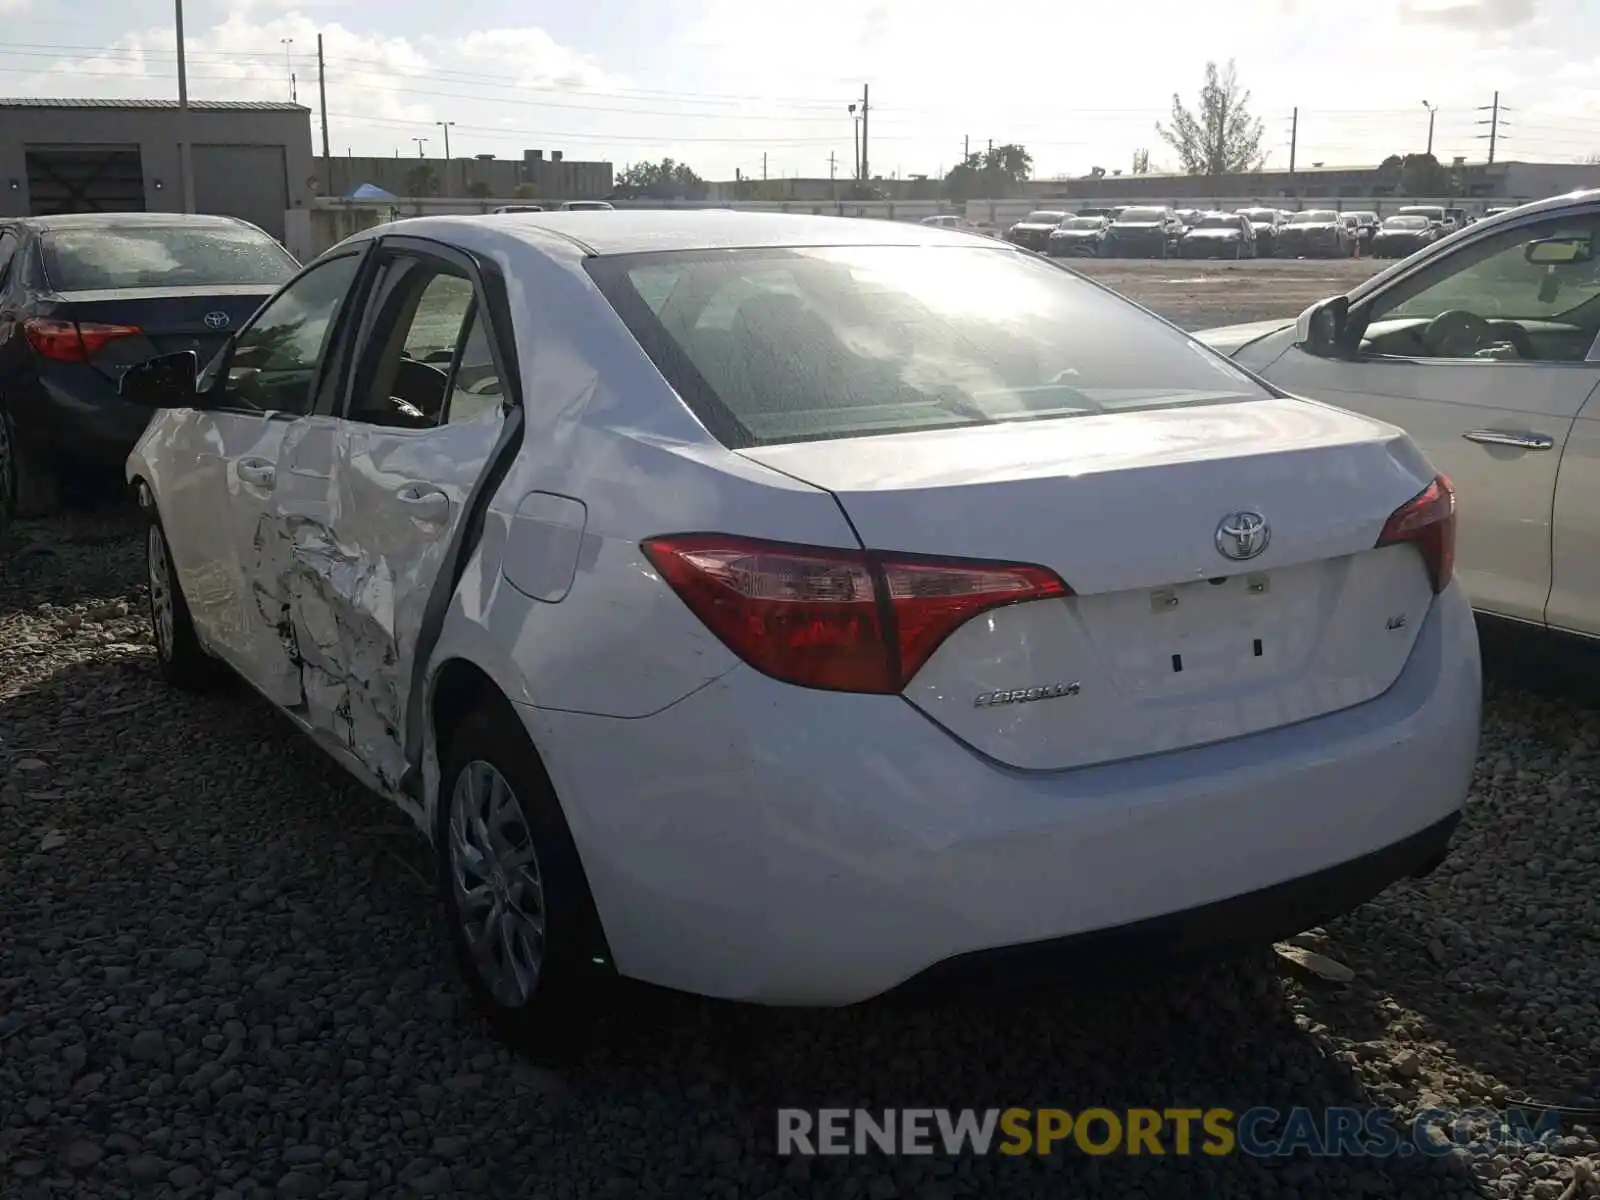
(838, 620)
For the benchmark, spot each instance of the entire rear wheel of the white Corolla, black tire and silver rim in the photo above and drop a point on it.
(518, 857)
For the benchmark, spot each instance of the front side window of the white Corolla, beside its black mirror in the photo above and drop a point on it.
(273, 362)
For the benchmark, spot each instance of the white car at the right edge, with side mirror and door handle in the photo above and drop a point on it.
(1486, 346)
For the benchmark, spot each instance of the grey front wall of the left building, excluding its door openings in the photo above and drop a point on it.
(154, 132)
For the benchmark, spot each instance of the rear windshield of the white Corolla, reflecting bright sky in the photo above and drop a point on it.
(799, 345)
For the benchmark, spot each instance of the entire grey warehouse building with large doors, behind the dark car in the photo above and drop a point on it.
(82, 156)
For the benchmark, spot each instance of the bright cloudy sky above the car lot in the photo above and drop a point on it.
(722, 82)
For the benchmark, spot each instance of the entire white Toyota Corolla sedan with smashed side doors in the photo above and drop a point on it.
(799, 610)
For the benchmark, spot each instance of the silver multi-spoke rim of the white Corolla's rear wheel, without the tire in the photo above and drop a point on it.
(497, 882)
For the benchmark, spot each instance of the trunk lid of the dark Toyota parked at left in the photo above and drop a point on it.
(198, 319)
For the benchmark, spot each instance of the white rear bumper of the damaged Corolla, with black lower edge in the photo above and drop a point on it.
(770, 844)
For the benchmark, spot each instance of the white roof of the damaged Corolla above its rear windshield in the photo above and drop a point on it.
(634, 231)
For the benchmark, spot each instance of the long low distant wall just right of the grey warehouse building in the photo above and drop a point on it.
(566, 180)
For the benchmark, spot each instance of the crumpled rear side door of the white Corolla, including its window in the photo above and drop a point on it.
(374, 500)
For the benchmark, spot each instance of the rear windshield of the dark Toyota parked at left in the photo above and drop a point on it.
(162, 257)
